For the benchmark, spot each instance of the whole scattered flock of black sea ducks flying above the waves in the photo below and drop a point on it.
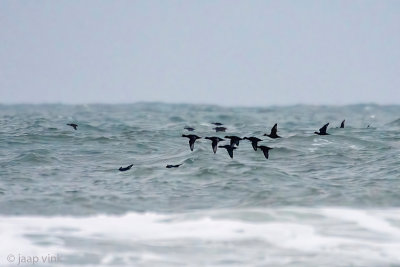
(234, 140)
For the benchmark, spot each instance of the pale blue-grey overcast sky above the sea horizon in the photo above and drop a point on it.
(217, 52)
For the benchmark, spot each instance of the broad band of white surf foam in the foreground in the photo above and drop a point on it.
(291, 236)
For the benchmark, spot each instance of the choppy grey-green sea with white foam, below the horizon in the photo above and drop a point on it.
(331, 200)
